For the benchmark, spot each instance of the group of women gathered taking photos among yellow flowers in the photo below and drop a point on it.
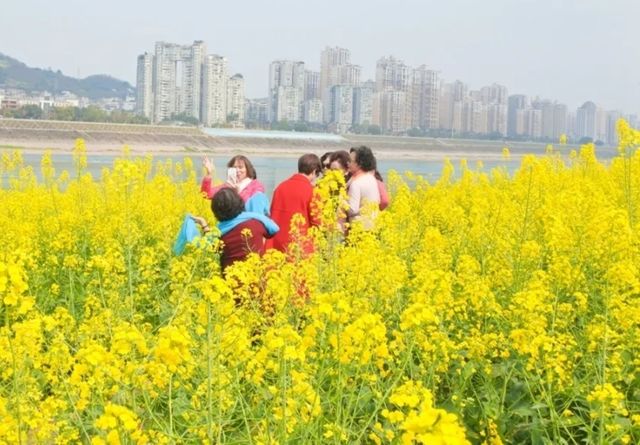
(249, 224)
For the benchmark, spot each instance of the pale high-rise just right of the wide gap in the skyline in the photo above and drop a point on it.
(286, 90)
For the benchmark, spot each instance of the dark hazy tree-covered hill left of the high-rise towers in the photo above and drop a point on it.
(15, 74)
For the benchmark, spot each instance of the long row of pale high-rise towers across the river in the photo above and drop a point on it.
(181, 80)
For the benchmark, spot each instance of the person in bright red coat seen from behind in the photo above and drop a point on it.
(295, 196)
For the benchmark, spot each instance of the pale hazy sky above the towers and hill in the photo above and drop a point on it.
(569, 50)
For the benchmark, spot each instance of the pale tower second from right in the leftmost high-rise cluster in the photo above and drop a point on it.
(214, 90)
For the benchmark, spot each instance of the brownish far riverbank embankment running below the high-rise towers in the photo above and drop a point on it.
(109, 139)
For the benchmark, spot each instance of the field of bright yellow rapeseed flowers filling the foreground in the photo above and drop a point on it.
(486, 308)
